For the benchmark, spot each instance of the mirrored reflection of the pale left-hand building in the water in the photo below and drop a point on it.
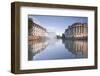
(35, 47)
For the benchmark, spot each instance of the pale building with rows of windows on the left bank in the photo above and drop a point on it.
(35, 31)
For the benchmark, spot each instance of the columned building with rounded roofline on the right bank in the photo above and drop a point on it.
(76, 31)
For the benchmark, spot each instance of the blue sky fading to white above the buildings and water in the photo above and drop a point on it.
(57, 24)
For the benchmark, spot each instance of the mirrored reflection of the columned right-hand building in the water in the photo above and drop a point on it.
(77, 47)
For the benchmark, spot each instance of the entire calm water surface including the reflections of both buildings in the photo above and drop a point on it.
(52, 49)
